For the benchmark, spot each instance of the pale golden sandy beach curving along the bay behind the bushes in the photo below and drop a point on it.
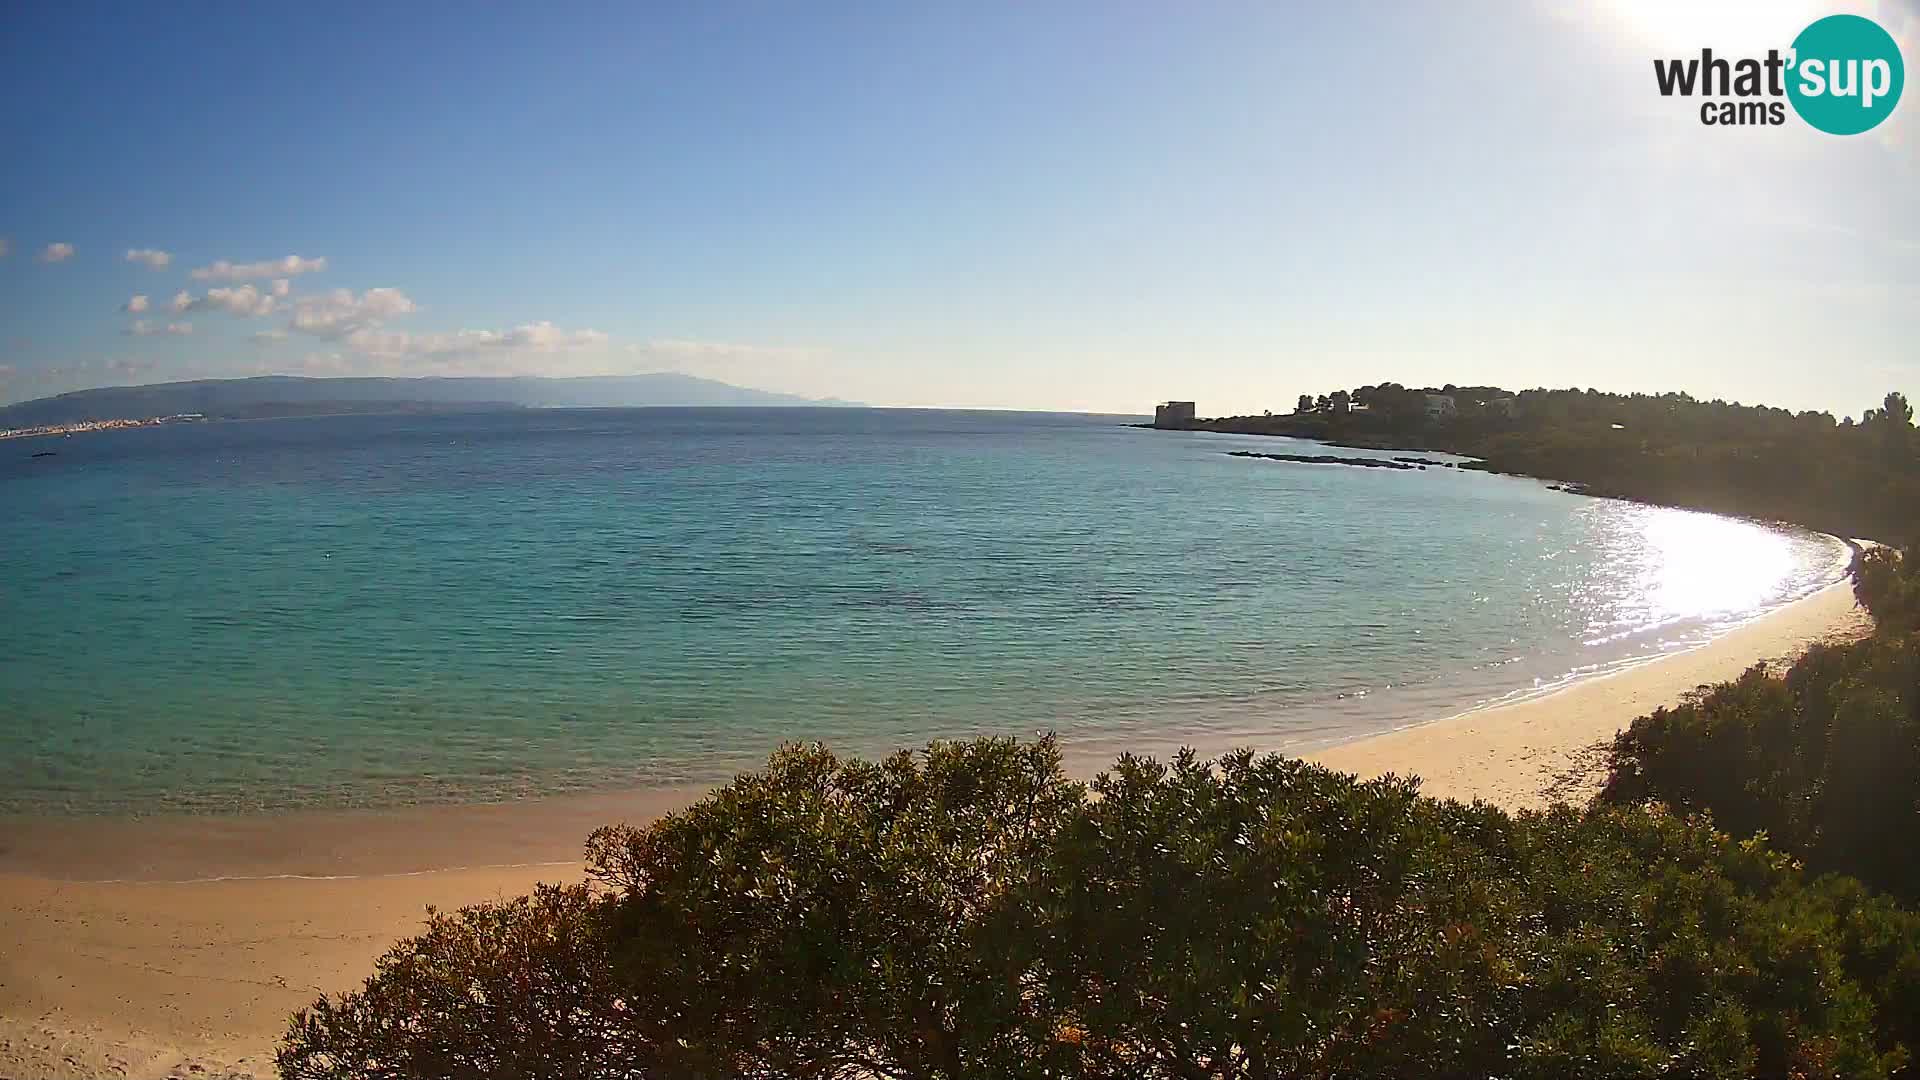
(112, 966)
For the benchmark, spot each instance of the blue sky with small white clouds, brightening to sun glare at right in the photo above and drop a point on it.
(1072, 207)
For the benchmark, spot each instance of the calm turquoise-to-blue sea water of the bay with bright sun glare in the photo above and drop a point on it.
(398, 610)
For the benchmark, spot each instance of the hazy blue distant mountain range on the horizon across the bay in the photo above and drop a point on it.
(291, 397)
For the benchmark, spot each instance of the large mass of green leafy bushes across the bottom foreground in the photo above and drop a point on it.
(971, 912)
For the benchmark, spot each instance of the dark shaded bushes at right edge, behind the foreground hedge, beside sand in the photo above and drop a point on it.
(1825, 758)
